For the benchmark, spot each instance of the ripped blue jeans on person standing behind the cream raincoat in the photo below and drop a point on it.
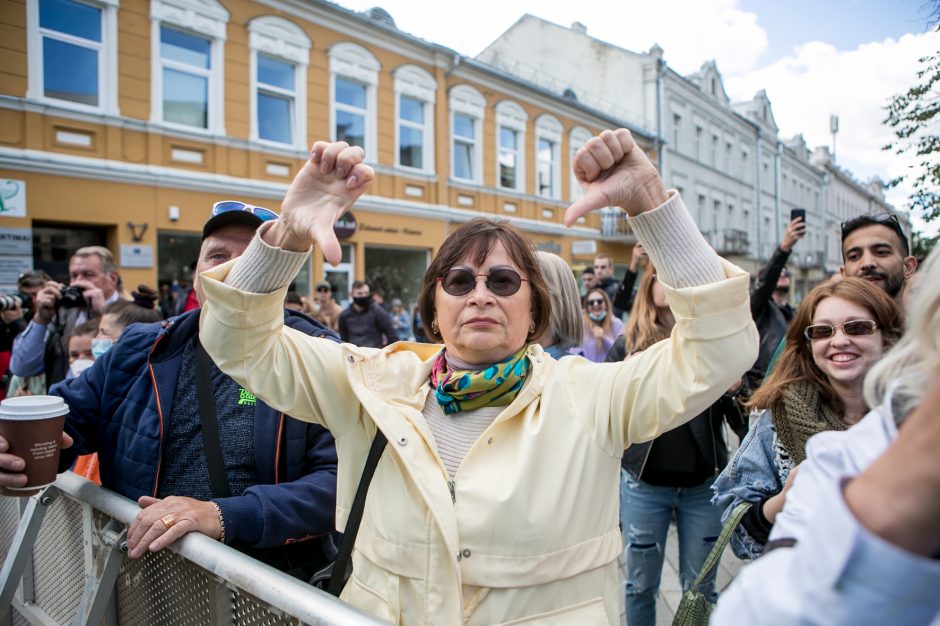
(645, 513)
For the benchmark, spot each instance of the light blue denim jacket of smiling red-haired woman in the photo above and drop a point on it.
(758, 470)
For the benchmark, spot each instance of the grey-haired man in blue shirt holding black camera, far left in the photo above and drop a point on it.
(42, 347)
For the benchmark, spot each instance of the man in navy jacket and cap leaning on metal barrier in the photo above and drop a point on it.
(137, 407)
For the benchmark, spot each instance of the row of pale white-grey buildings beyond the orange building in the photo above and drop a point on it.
(739, 178)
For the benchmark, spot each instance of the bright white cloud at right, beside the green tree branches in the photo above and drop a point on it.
(818, 80)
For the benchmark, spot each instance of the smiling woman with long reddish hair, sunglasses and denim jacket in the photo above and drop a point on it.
(839, 332)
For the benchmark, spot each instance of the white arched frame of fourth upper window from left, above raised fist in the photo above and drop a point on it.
(353, 62)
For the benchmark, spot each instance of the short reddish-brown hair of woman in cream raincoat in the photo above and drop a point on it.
(475, 240)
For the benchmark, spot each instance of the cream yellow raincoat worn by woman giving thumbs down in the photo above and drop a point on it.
(531, 533)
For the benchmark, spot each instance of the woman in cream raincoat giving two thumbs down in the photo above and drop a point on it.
(495, 500)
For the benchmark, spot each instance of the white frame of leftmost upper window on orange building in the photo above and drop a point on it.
(107, 57)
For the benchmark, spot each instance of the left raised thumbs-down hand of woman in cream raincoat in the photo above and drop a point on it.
(327, 185)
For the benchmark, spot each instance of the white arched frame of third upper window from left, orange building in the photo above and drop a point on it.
(278, 38)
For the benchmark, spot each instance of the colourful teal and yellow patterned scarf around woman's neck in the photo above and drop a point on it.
(467, 390)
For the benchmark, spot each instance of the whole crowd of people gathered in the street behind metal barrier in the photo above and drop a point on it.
(543, 435)
